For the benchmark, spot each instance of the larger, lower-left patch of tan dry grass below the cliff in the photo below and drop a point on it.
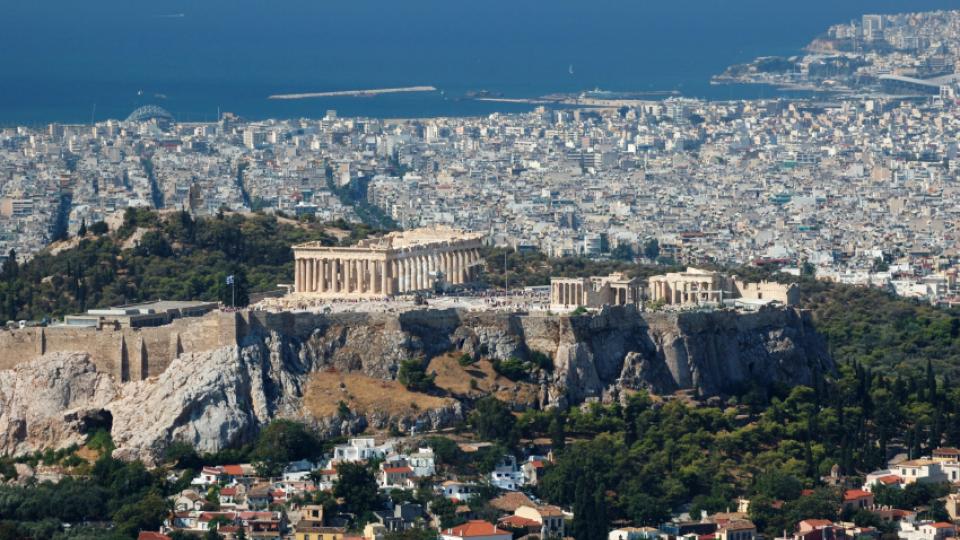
(326, 389)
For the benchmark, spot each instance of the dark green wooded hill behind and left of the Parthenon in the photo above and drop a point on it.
(172, 256)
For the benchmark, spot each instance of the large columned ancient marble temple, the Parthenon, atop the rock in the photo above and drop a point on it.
(396, 263)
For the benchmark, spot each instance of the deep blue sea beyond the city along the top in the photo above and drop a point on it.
(70, 61)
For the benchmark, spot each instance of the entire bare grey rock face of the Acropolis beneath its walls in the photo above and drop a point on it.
(223, 397)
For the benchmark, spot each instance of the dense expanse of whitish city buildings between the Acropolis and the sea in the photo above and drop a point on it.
(859, 188)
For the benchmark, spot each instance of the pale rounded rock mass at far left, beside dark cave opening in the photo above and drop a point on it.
(52, 401)
